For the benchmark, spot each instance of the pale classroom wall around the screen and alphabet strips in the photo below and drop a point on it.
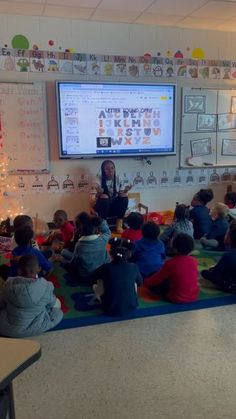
(111, 38)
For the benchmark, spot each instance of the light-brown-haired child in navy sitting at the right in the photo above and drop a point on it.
(214, 240)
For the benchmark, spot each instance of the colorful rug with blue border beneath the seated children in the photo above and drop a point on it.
(81, 308)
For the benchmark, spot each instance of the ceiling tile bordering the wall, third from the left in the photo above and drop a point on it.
(114, 16)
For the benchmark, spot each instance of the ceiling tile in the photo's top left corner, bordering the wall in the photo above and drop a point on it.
(32, 9)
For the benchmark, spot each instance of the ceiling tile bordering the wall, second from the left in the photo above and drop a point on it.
(68, 12)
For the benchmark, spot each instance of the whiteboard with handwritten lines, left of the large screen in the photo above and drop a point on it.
(23, 127)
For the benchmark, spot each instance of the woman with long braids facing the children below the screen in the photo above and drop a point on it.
(111, 200)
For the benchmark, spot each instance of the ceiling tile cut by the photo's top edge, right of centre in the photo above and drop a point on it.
(175, 7)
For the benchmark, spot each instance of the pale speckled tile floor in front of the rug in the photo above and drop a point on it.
(178, 366)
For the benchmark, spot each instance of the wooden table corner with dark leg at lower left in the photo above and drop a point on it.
(15, 356)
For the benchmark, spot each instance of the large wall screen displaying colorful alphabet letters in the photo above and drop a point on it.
(102, 119)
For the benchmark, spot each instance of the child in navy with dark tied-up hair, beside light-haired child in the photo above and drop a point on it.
(199, 214)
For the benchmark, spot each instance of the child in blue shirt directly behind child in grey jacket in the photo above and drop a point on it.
(23, 238)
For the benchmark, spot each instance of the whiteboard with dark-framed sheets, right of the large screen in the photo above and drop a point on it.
(208, 127)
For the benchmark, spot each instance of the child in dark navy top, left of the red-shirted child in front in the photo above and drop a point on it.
(117, 281)
